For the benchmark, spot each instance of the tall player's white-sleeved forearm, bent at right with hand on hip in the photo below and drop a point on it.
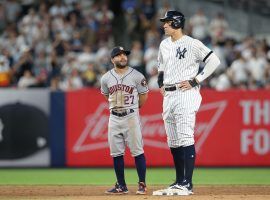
(210, 66)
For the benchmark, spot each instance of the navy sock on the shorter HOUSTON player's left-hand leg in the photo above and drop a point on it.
(118, 164)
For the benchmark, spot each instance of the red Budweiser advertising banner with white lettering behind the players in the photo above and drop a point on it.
(232, 129)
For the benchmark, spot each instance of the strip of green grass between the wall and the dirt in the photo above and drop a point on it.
(156, 176)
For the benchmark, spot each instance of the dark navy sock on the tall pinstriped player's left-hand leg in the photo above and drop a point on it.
(178, 158)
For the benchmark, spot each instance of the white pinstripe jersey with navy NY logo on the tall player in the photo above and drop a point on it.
(180, 60)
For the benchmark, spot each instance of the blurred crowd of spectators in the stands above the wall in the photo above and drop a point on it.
(65, 44)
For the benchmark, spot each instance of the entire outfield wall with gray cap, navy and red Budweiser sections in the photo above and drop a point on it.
(70, 129)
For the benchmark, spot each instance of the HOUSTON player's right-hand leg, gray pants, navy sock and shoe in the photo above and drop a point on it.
(135, 143)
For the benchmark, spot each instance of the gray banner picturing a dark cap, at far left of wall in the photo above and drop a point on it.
(24, 128)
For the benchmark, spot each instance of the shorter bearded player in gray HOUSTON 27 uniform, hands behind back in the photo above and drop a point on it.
(126, 90)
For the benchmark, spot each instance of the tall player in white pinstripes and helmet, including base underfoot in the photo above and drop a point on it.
(178, 65)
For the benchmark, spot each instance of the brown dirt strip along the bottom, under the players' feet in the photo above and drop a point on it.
(97, 192)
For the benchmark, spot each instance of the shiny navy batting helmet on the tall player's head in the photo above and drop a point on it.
(177, 18)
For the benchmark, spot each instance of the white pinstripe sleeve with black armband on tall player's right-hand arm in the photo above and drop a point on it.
(201, 51)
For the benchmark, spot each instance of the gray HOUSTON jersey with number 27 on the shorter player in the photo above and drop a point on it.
(123, 90)
